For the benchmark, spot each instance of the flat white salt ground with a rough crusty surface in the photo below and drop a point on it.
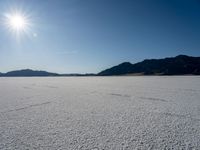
(100, 113)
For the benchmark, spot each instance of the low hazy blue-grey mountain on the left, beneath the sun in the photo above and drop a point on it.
(28, 72)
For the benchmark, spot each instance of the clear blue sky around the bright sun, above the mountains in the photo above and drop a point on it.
(87, 36)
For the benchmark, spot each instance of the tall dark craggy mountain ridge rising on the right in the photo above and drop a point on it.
(179, 65)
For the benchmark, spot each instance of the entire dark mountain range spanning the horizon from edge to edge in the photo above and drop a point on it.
(179, 65)
